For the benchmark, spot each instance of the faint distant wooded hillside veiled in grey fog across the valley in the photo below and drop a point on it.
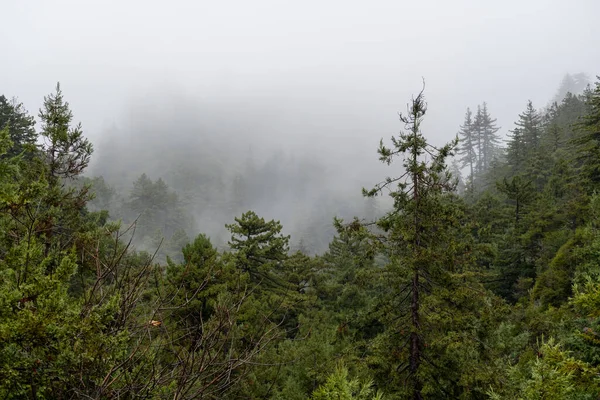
(214, 175)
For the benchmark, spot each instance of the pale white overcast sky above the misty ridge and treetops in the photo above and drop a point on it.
(295, 71)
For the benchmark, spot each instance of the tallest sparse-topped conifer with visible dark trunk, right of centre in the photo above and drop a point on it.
(417, 227)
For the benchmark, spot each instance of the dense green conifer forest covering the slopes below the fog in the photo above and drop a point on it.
(470, 271)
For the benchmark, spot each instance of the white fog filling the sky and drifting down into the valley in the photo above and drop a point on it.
(208, 86)
